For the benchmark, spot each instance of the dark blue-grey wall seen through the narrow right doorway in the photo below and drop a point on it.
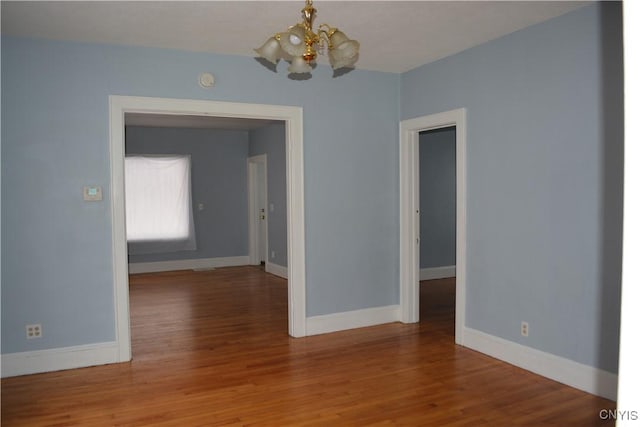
(438, 198)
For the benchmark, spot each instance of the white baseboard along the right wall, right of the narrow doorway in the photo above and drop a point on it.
(566, 371)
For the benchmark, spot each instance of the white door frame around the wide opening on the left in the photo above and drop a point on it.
(292, 116)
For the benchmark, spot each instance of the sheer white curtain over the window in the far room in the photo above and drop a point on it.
(158, 204)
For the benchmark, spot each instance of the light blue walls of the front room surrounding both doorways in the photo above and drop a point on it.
(544, 178)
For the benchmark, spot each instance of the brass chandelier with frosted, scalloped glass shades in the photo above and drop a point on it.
(300, 45)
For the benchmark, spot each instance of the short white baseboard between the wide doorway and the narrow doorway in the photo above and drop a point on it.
(352, 319)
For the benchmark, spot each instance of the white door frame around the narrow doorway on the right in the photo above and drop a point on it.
(410, 214)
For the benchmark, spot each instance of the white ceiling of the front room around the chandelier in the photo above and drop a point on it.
(395, 36)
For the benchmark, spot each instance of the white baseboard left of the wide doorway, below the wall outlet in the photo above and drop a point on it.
(57, 359)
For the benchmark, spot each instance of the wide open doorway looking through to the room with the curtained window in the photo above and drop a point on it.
(207, 175)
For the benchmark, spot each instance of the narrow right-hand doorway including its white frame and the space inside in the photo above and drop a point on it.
(421, 261)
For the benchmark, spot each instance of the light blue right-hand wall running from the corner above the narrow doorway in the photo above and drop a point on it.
(544, 184)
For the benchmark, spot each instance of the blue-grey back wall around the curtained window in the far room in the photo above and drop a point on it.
(218, 181)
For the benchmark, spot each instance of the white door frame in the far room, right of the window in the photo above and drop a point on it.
(254, 181)
